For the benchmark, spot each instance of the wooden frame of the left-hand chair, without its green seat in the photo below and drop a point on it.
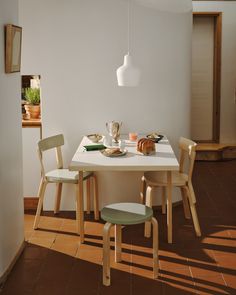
(56, 142)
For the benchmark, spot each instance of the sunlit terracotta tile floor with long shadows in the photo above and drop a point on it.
(54, 262)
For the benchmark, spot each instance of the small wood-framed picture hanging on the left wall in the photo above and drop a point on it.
(13, 37)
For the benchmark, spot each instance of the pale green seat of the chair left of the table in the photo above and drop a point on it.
(65, 176)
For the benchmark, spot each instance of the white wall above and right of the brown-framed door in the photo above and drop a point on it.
(228, 75)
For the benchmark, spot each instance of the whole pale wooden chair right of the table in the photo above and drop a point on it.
(180, 179)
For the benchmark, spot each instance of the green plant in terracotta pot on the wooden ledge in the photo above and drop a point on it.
(32, 106)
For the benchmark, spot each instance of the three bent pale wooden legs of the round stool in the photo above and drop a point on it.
(118, 249)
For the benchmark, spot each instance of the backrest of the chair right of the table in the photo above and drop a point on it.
(187, 151)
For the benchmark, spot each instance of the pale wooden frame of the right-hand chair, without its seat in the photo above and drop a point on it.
(187, 150)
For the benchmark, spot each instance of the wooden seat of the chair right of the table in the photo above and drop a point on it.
(160, 178)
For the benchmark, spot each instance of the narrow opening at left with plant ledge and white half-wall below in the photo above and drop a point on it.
(31, 134)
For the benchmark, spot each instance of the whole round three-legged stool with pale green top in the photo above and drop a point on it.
(125, 214)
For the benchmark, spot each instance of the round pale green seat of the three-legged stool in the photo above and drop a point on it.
(126, 213)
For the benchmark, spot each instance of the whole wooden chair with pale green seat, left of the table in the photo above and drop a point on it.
(60, 176)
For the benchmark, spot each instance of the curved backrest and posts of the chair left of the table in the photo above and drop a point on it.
(50, 143)
